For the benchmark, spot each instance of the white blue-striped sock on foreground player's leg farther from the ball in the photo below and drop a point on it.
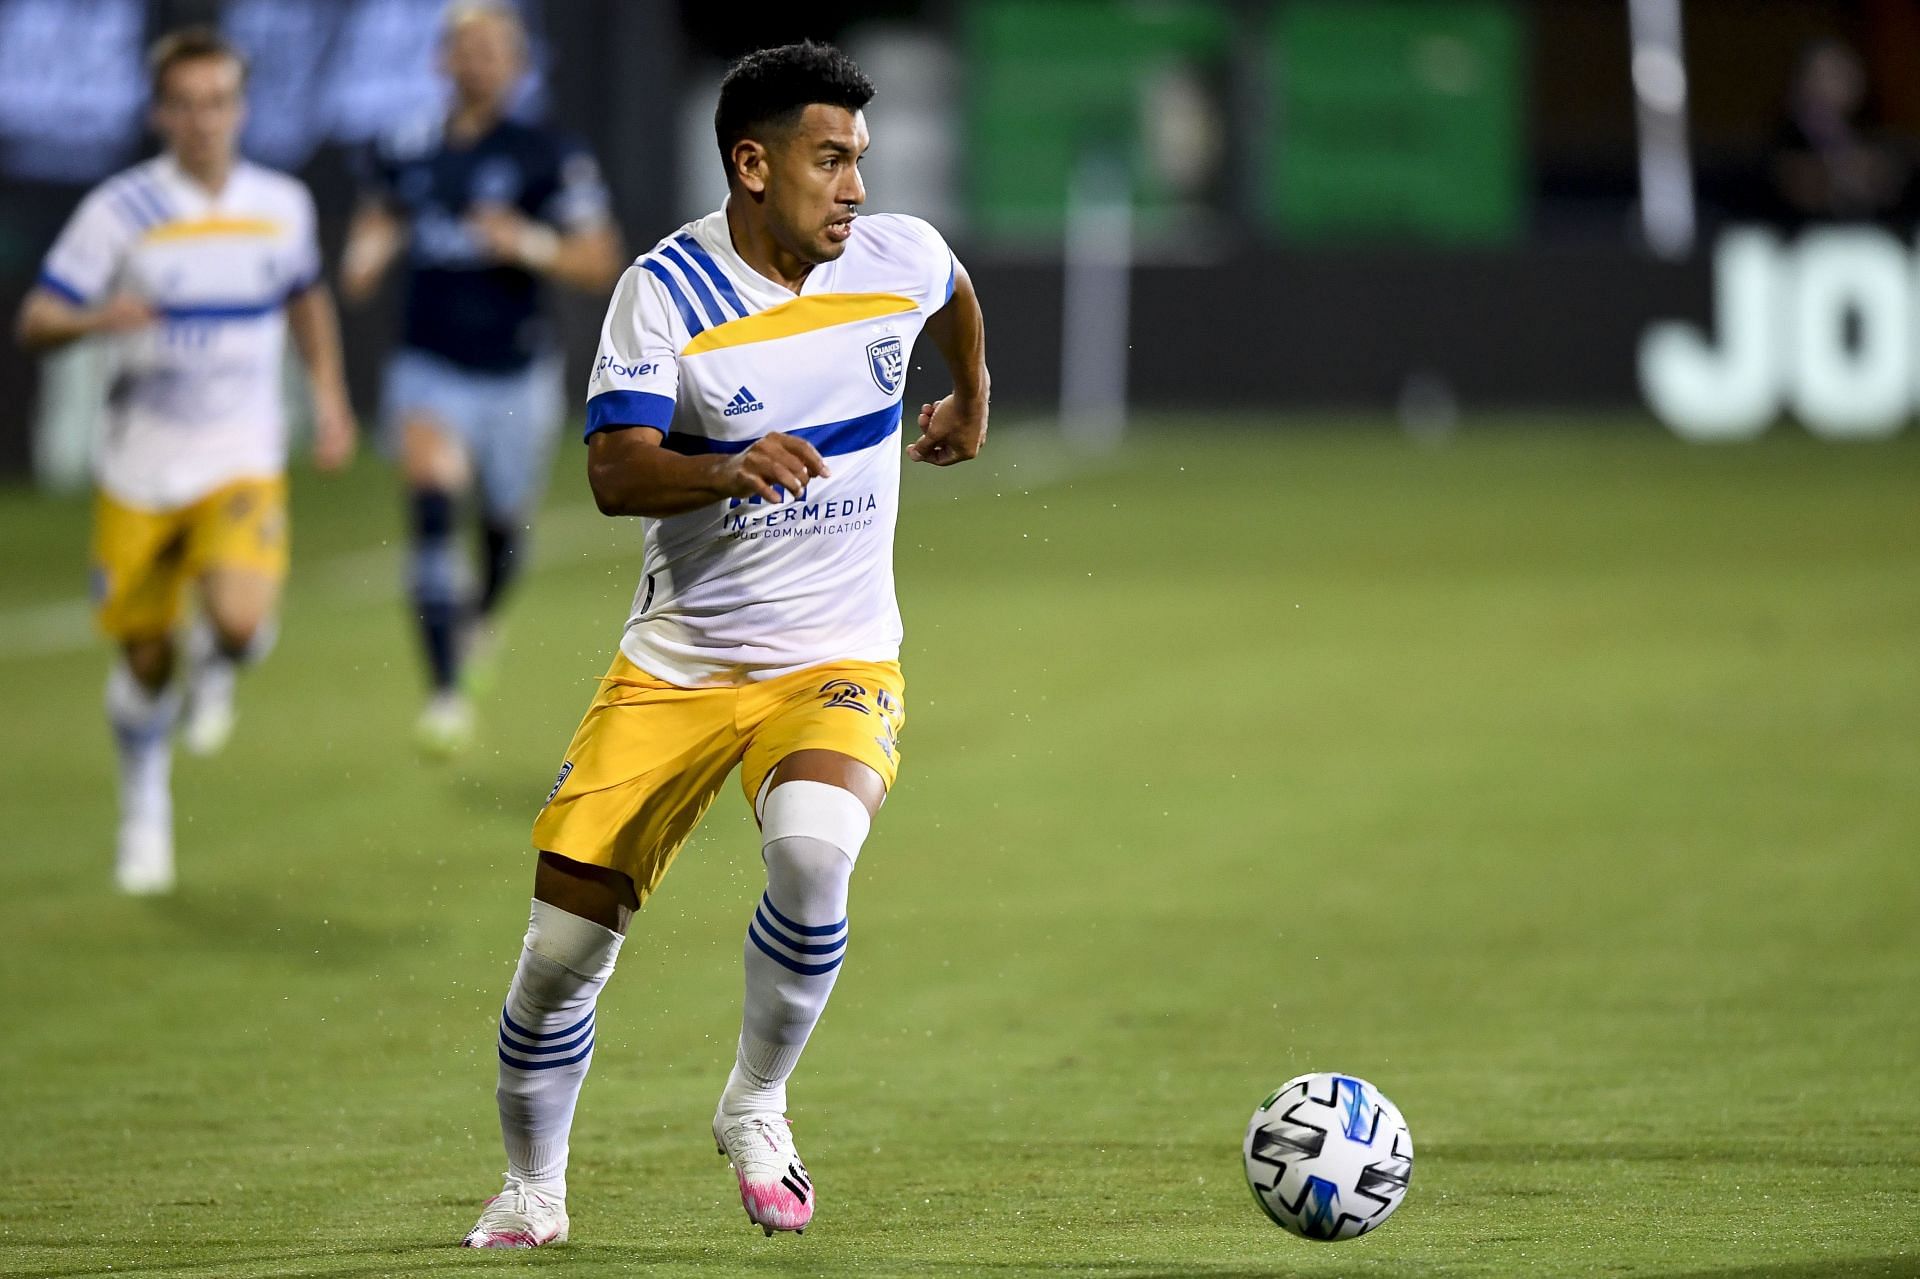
(546, 1042)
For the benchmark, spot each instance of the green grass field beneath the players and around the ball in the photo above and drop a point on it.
(1566, 783)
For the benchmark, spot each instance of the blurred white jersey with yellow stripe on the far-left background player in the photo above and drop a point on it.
(197, 397)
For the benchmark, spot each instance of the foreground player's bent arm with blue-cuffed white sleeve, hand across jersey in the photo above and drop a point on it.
(631, 408)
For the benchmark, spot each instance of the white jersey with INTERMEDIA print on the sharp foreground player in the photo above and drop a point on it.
(711, 352)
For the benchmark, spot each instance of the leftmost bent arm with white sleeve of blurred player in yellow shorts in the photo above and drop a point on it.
(74, 299)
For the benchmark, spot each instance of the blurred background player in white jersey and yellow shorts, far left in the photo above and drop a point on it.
(195, 266)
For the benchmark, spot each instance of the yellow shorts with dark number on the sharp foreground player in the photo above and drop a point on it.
(650, 756)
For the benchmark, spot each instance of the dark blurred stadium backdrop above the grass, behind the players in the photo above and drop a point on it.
(1412, 206)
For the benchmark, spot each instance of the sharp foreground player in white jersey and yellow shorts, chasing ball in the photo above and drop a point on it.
(748, 406)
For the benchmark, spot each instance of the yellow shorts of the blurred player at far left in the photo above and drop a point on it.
(145, 560)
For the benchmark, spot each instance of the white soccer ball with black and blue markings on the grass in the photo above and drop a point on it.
(1328, 1157)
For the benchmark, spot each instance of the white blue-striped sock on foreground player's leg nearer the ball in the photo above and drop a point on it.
(811, 838)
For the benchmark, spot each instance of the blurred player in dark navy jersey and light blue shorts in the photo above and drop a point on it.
(485, 208)
